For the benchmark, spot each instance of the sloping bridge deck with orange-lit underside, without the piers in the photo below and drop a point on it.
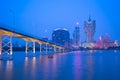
(9, 32)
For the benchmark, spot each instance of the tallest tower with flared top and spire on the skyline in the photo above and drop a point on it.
(90, 28)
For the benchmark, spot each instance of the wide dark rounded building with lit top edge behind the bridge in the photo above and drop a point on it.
(61, 36)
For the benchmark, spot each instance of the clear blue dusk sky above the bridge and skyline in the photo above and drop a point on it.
(41, 17)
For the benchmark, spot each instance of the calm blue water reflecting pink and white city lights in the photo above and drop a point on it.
(85, 65)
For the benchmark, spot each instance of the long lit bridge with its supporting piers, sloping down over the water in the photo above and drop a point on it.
(9, 34)
